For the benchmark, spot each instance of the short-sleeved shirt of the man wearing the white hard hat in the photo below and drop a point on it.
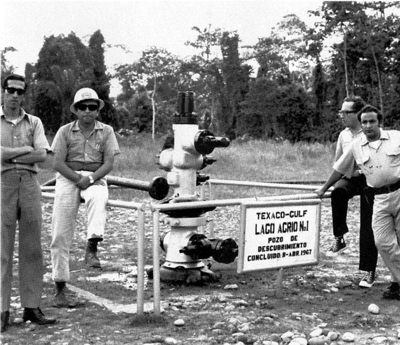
(70, 143)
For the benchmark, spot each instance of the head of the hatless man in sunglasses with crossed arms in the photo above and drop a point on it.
(13, 87)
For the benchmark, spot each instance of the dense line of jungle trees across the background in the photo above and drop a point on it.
(300, 82)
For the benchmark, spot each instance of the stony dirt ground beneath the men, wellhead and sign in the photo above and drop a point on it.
(238, 307)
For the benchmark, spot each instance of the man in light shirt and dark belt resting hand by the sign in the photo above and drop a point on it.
(377, 155)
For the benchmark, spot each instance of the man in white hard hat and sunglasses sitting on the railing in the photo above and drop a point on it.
(84, 152)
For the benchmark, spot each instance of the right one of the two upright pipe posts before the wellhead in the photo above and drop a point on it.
(156, 262)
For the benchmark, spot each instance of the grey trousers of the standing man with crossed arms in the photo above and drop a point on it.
(21, 202)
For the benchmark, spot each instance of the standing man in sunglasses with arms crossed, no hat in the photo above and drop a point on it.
(23, 144)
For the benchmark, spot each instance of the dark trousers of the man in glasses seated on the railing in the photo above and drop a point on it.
(344, 190)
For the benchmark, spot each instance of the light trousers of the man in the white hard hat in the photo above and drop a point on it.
(65, 210)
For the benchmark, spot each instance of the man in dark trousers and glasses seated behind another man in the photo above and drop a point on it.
(345, 189)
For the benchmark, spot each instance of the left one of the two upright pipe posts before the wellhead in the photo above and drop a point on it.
(140, 263)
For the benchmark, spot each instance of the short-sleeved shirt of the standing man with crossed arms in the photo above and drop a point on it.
(28, 131)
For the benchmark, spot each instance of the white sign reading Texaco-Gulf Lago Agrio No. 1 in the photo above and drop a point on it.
(279, 234)
